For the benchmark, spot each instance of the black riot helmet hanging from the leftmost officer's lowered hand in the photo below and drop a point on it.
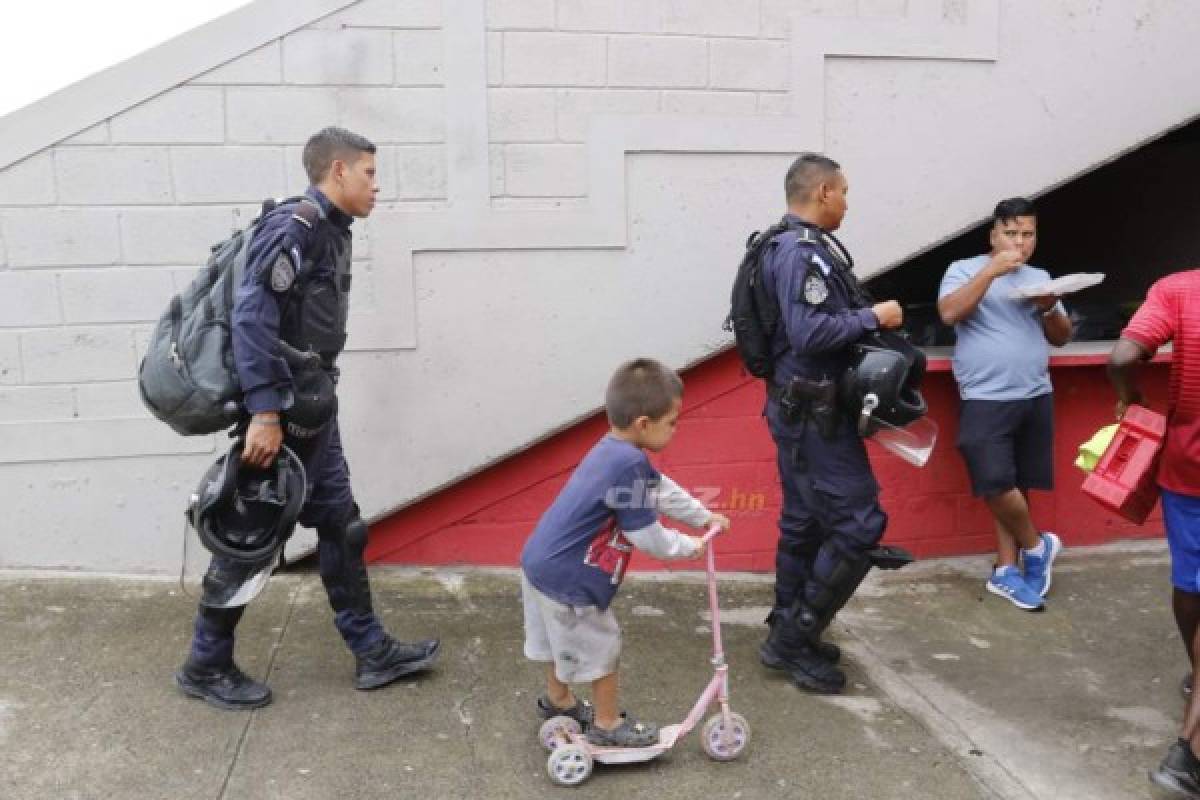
(245, 514)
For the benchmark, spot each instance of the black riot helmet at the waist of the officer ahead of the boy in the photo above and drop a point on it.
(884, 383)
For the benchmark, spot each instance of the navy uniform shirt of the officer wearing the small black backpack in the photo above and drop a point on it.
(820, 315)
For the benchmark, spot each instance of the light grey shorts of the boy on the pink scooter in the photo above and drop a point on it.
(583, 641)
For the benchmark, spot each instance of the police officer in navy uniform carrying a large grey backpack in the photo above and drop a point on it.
(293, 300)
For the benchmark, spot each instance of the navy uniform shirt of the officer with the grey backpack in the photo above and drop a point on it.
(265, 376)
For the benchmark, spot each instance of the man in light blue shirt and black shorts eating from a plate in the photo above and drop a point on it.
(1006, 424)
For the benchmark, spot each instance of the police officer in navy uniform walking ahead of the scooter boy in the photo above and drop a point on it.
(831, 521)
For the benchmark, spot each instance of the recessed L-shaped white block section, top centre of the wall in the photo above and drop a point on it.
(554, 67)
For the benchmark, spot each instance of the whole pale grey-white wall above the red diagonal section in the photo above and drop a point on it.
(566, 184)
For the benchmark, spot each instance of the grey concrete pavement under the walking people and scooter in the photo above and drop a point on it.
(953, 693)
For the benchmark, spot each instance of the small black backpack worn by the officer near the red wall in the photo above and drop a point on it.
(754, 311)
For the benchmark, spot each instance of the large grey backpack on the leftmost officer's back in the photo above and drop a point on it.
(188, 377)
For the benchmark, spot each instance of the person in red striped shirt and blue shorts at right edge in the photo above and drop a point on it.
(1172, 314)
